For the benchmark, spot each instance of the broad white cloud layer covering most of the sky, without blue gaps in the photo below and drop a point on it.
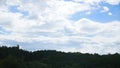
(48, 22)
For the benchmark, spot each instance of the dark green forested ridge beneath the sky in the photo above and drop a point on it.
(14, 57)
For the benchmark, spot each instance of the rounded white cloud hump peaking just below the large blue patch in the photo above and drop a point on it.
(87, 26)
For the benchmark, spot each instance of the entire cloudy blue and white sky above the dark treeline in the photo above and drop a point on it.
(86, 26)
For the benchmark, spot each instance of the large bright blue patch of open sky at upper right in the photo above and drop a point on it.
(101, 17)
